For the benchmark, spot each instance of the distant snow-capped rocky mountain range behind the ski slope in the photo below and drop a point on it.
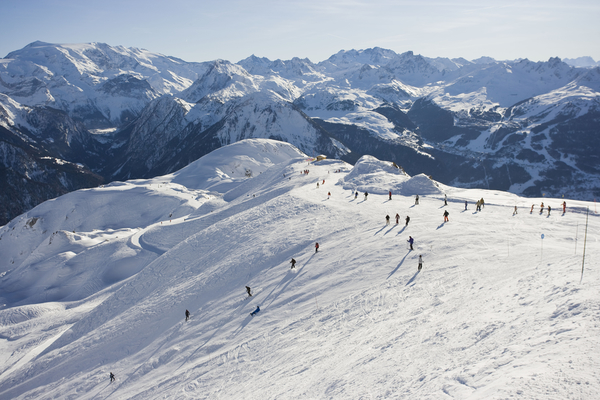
(82, 115)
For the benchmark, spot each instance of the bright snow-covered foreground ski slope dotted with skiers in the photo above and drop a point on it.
(98, 281)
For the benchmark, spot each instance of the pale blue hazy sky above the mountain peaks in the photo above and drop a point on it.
(232, 30)
